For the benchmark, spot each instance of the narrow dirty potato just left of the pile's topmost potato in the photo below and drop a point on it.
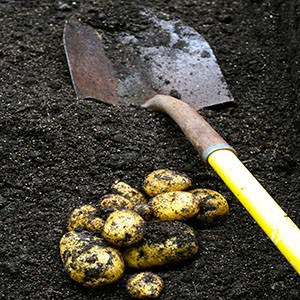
(128, 192)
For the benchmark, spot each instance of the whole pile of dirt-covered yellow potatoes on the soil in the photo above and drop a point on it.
(130, 229)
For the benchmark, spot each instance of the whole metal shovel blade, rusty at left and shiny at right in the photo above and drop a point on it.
(168, 57)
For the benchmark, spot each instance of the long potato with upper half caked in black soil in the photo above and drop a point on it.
(163, 243)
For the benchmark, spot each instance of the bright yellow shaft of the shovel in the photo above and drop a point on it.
(266, 212)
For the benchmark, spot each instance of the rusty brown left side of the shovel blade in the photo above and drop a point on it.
(91, 71)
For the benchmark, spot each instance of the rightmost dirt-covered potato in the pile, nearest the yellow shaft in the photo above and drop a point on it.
(213, 205)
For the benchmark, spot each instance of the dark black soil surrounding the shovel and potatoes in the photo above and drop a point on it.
(58, 153)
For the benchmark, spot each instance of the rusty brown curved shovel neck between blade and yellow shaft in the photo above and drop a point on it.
(203, 137)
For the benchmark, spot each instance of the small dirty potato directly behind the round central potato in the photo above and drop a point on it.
(113, 202)
